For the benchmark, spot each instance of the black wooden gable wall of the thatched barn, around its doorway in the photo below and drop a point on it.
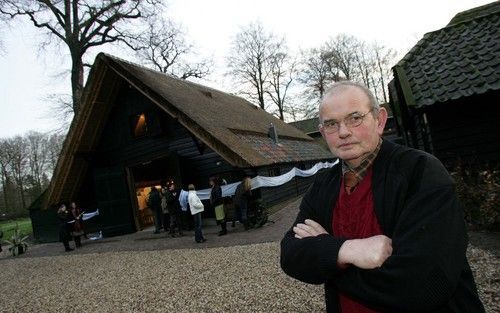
(119, 148)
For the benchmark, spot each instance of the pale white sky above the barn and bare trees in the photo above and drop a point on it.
(28, 77)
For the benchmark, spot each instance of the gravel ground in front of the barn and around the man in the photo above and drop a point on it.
(143, 272)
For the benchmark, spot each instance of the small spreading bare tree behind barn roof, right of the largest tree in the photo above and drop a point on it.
(163, 46)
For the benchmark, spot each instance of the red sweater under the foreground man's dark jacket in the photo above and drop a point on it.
(354, 218)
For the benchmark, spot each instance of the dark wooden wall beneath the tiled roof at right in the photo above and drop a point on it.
(467, 129)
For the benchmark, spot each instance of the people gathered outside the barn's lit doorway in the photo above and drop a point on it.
(169, 213)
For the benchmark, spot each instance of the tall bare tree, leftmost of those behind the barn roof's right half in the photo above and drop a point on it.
(249, 58)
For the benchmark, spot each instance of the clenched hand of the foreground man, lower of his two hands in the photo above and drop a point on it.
(367, 253)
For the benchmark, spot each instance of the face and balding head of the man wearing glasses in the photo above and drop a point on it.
(351, 144)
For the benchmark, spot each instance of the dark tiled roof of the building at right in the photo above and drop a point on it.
(459, 60)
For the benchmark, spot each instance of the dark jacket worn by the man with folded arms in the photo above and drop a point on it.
(417, 207)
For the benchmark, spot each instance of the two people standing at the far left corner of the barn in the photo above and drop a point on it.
(70, 225)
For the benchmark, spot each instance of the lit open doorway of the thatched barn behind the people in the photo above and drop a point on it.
(155, 173)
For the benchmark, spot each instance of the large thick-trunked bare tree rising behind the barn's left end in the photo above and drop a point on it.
(80, 25)
